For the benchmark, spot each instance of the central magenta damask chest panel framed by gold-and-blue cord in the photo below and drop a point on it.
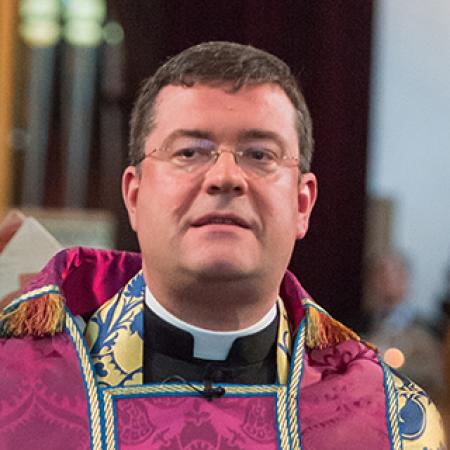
(189, 423)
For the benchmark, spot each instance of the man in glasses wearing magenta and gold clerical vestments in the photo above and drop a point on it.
(213, 345)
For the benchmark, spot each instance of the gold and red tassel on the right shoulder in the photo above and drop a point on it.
(323, 331)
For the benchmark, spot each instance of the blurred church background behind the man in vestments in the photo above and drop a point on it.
(375, 75)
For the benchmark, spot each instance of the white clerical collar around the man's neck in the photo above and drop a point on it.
(208, 344)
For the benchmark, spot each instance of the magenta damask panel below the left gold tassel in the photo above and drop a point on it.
(42, 399)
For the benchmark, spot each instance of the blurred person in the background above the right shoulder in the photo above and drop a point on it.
(404, 339)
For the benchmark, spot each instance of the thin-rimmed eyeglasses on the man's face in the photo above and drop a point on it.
(193, 157)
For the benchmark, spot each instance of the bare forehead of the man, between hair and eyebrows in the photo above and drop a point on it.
(218, 110)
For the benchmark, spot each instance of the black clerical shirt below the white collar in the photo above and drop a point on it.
(168, 356)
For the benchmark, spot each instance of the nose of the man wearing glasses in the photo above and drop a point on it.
(225, 176)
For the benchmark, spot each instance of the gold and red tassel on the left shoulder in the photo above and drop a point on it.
(40, 316)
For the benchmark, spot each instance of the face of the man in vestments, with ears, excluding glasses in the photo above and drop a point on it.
(220, 223)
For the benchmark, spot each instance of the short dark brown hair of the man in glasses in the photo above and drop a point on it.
(217, 63)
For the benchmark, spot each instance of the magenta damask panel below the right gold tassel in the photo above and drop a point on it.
(342, 390)
